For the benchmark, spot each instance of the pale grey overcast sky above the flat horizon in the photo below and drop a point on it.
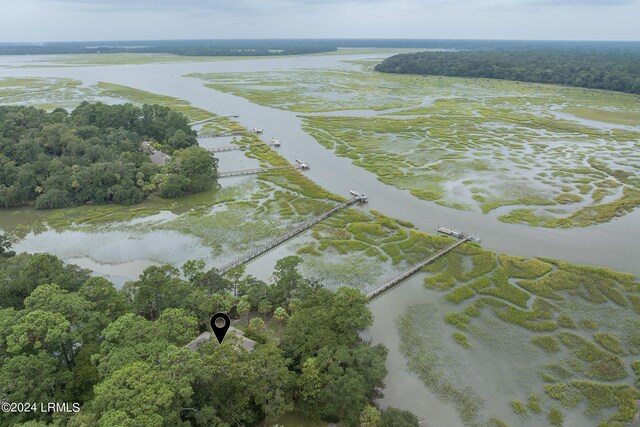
(85, 20)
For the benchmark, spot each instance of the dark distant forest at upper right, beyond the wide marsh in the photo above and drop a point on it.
(588, 66)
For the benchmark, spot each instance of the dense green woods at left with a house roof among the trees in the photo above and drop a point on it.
(94, 155)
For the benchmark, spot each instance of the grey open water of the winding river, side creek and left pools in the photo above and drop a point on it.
(615, 244)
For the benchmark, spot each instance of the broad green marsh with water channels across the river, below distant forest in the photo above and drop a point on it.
(497, 147)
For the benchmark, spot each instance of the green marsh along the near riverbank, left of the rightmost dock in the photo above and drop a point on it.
(231, 219)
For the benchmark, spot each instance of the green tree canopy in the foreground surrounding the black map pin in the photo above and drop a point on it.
(66, 336)
